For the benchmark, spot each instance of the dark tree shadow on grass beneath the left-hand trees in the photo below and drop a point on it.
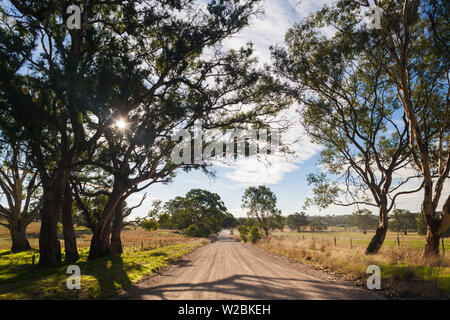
(18, 276)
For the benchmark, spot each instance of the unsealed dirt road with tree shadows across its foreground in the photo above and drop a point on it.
(232, 270)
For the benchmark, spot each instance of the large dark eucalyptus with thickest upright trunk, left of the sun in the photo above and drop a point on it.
(59, 94)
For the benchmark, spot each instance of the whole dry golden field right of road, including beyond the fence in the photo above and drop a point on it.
(404, 272)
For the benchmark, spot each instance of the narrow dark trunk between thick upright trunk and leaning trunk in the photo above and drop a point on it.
(70, 241)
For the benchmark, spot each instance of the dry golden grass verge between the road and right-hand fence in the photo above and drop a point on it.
(404, 273)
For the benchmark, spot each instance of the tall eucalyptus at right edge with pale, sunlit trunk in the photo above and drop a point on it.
(411, 49)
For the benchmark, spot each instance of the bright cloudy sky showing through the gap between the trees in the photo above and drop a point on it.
(287, 178)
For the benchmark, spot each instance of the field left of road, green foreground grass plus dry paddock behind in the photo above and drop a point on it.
(144, 253)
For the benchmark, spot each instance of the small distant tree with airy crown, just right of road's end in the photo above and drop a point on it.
(261, 203)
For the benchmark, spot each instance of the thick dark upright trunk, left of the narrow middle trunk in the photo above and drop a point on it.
(48, 236)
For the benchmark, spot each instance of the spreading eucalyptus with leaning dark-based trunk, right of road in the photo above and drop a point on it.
(352, 113)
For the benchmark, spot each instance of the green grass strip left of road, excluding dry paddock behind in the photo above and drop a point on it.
(100, 278)
